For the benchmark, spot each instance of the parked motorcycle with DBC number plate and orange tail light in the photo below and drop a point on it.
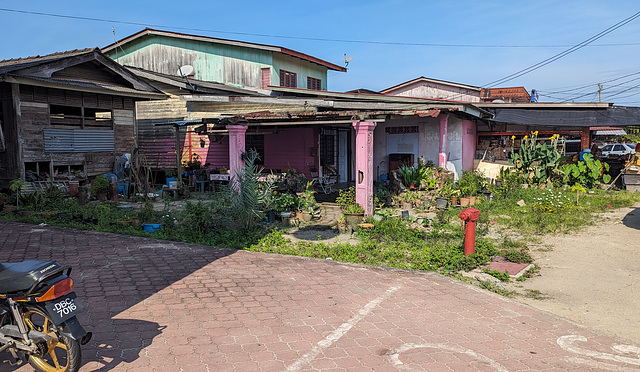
(38, 311)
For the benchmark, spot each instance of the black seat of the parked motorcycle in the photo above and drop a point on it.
(20, 276)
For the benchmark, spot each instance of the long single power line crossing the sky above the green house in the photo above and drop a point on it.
(377, 42)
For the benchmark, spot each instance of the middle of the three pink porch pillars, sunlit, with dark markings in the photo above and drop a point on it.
(364, 165)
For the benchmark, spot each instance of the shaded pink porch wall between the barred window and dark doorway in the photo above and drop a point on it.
(291, 149)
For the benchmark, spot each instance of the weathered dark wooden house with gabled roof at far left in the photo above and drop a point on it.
(66, 114)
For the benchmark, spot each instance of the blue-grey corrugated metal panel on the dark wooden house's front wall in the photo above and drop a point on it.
(78, 140)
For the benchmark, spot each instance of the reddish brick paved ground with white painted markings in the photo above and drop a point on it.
(165, 306)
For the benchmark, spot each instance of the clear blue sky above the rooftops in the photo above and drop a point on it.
(504, 37)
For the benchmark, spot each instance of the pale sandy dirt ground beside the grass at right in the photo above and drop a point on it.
(591, 277)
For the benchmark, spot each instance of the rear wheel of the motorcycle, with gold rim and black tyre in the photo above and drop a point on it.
(62, 355)
